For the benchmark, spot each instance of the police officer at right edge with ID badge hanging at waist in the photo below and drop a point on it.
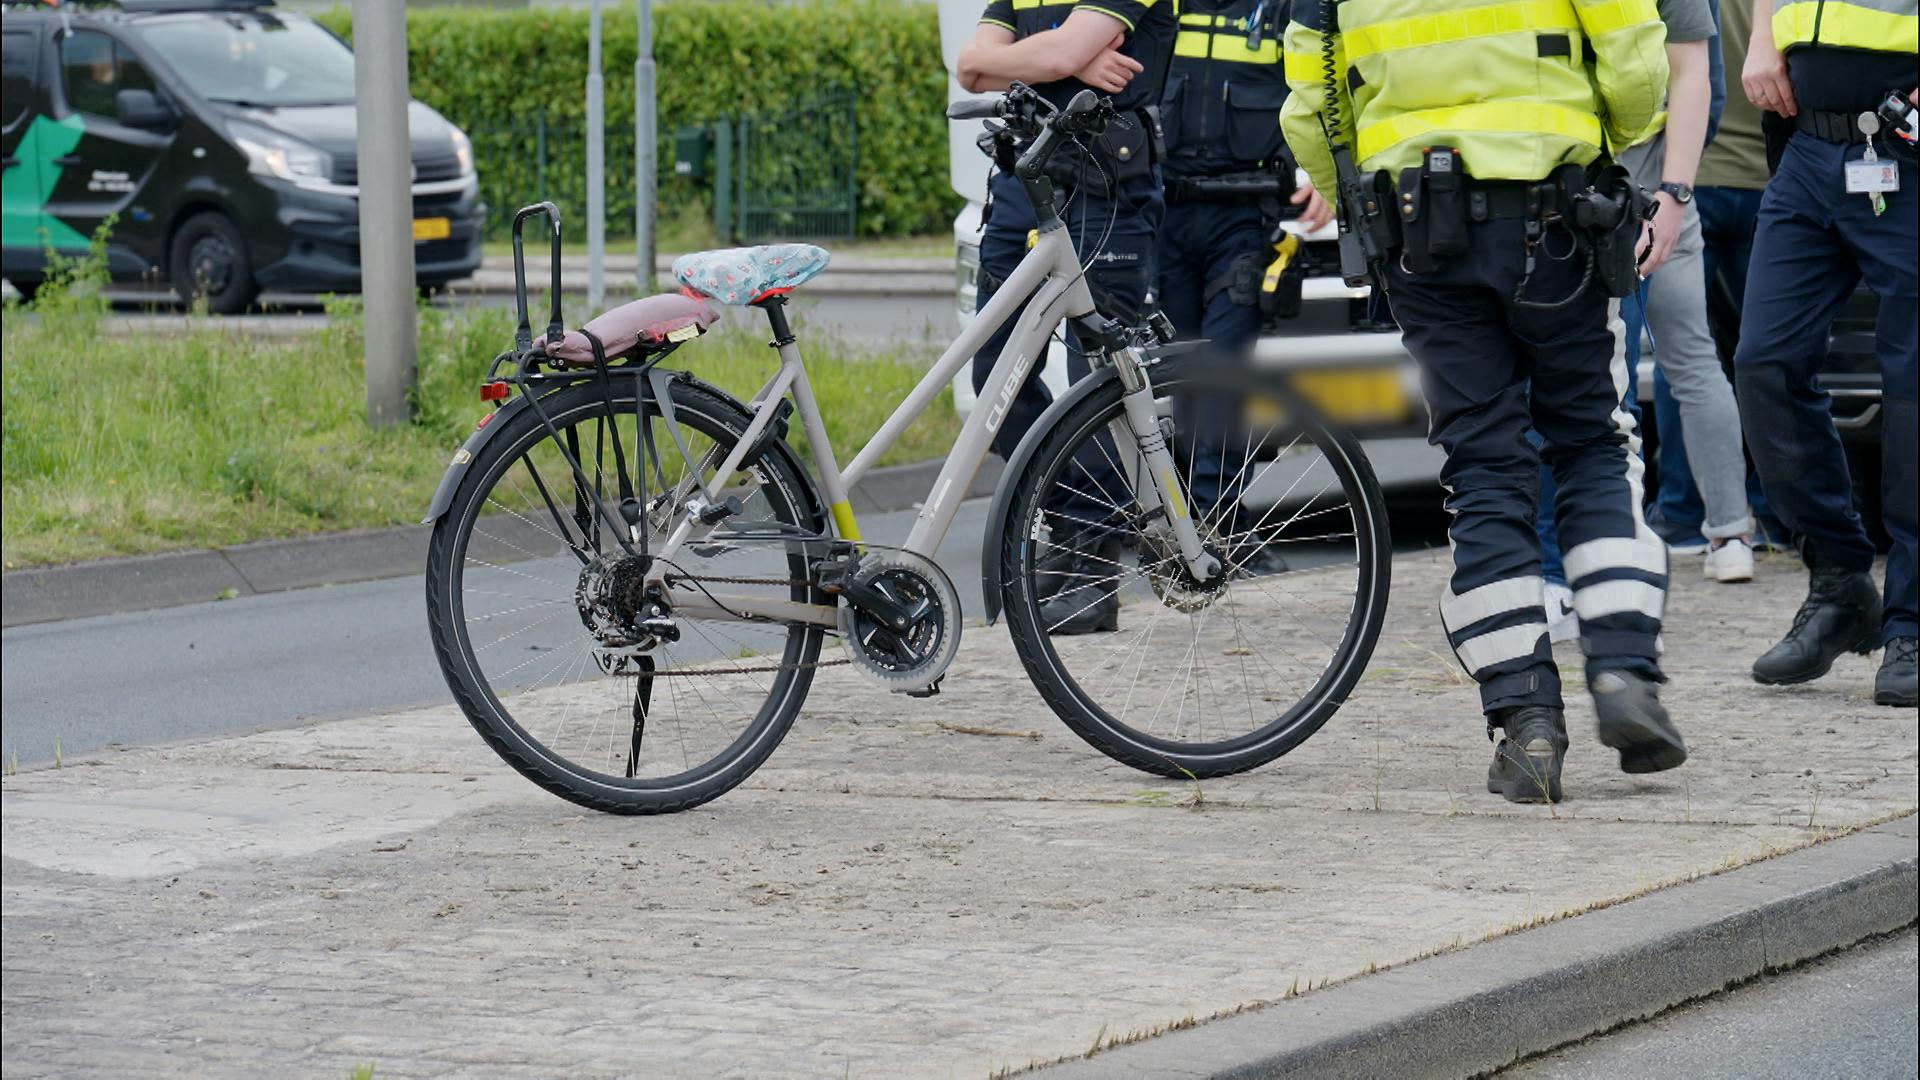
(1833, 216)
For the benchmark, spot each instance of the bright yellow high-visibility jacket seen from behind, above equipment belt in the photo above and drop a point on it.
(1518, 87)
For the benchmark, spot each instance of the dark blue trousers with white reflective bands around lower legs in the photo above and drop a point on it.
(1479, 353)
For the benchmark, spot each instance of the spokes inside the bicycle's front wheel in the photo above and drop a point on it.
(1197, 664)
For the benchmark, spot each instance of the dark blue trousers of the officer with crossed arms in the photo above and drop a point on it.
(1122, 268)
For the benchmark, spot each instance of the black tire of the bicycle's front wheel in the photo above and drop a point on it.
(1095, 724)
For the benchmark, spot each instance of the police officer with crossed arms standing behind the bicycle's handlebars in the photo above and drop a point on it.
(1113, 199)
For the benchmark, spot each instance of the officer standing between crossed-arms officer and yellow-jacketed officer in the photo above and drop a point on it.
(1226, 176)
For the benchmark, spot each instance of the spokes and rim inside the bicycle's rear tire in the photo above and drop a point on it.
(560, 641)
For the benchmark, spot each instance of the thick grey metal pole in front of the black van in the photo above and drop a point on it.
(385, 205)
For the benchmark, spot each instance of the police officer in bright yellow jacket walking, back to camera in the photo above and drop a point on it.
(1474, 126)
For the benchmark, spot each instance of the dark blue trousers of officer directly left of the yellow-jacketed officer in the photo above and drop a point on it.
(1201, 243)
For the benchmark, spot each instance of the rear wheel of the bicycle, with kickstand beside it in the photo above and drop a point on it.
(535, 608)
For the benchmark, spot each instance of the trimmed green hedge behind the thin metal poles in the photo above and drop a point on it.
(496, 72)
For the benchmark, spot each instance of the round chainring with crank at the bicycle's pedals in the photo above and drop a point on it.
(913, 658)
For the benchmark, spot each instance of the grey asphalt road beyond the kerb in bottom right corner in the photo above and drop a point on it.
(1856, 1016)
